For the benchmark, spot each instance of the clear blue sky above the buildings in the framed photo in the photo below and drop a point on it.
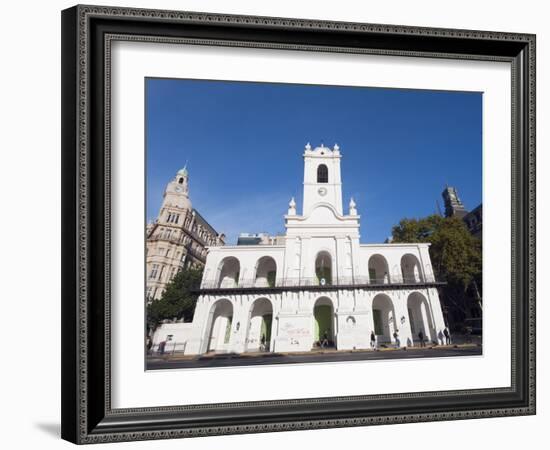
(243, 144)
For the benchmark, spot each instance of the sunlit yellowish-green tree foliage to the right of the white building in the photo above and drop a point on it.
(455, 253)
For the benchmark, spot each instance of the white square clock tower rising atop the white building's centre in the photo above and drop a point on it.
(322, 182)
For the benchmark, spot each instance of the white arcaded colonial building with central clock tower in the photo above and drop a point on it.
(317, 283)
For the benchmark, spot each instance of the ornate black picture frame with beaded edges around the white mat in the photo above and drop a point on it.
(87, 34)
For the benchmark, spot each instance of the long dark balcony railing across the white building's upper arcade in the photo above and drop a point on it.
(316, 283)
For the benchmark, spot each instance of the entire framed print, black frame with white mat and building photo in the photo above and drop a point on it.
(277, 224)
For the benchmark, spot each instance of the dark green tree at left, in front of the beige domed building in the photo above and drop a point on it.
(178, 300)
